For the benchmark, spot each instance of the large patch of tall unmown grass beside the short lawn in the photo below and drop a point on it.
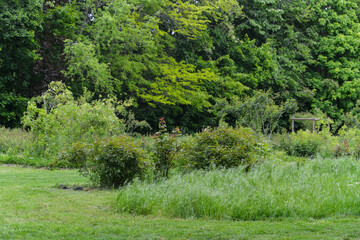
(317, 188)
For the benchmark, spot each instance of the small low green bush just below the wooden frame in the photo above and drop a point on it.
(301, 143)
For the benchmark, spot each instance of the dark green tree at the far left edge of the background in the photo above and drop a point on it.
(19, 21)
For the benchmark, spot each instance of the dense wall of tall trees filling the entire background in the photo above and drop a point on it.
(178, 59)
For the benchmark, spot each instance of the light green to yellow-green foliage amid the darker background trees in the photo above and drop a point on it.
(122, 53)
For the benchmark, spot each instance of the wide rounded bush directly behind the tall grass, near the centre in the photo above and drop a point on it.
(221, 148)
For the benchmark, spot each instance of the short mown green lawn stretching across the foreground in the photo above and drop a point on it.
(33, 207)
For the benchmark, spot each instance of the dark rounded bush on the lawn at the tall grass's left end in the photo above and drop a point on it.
(109, 162)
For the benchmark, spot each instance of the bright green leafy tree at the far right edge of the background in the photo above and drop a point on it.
(336, 68)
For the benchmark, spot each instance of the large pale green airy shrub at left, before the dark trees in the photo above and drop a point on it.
(61, 120)
